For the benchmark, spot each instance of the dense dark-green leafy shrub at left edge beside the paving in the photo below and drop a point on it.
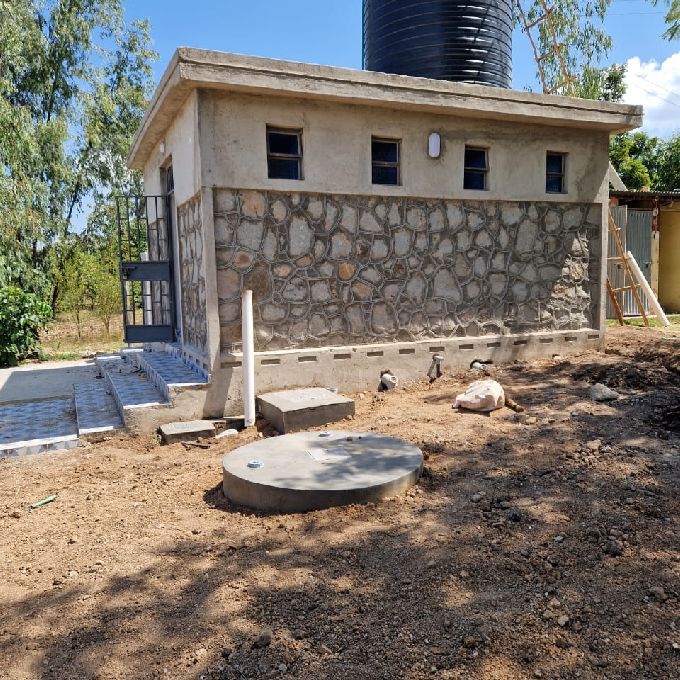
(22, 317)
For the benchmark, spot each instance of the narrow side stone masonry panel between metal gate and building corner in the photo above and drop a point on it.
(190, 234)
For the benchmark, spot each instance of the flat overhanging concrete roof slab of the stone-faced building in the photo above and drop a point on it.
(191, 69)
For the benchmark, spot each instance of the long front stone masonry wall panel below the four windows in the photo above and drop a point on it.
(334, 270)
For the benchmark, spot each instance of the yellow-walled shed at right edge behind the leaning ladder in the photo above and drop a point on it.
(650, 223)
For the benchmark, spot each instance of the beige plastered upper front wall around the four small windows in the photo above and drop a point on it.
(337, 145)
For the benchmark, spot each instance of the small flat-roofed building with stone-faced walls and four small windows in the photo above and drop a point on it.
(378, 219)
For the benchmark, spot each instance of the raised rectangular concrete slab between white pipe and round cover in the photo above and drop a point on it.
(295, 410)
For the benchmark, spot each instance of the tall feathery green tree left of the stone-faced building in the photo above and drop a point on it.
(74, 79)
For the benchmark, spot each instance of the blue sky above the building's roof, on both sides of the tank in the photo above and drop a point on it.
(329, 32)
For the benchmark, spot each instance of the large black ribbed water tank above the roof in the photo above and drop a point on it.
(467, 42)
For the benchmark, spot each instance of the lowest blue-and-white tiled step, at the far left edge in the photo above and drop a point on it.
(37, 427)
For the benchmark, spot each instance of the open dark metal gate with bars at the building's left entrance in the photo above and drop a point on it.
(146, 268)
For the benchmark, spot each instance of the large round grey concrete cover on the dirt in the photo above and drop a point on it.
(314, 470)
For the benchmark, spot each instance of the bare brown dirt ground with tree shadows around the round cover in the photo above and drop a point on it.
(544, 545)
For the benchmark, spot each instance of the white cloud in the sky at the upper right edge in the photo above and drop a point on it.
(657, 87)
